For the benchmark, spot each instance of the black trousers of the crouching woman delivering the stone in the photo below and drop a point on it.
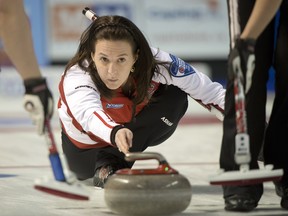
(148, 129)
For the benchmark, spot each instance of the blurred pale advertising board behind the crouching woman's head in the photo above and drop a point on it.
(191, 29)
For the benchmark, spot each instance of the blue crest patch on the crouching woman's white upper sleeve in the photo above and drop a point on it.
(179, 68)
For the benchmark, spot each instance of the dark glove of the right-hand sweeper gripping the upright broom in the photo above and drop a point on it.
(241, 61)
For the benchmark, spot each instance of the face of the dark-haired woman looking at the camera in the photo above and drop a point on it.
(114, 61)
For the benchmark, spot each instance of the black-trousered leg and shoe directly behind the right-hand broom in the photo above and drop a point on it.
(246, 198)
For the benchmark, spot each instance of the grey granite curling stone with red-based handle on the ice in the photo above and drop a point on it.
(138, 192)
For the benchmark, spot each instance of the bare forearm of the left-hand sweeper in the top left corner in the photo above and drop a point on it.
(15, 33)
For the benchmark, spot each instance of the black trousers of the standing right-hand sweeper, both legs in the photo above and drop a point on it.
(256, 103)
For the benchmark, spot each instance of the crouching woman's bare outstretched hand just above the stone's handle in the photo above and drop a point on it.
(123, 140)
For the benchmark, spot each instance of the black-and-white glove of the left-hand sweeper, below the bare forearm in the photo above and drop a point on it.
(38, 101)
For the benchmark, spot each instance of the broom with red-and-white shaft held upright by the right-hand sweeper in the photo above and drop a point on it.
(244, 176)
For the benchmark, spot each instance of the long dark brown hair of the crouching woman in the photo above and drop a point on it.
(118, 28)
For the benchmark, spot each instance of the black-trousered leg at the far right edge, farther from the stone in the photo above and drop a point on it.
(276, 139)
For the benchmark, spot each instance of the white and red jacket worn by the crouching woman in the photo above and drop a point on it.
(88, 119)
